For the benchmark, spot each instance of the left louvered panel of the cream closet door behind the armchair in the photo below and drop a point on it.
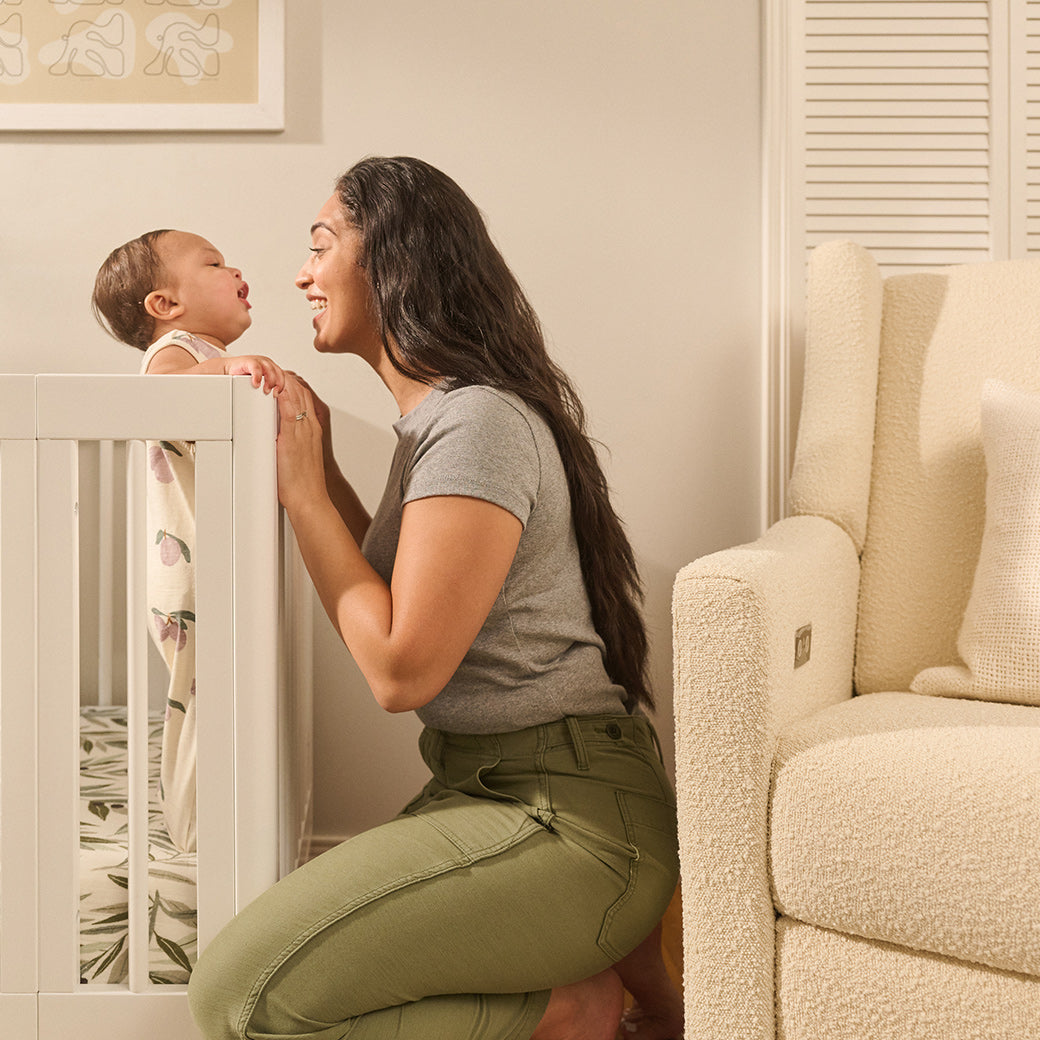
(902, 129)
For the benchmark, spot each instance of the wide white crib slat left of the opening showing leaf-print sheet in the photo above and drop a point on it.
(58, 670)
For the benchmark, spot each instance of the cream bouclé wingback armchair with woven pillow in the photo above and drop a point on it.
(859, 692)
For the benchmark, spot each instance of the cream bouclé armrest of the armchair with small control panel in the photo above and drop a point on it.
(738, 617)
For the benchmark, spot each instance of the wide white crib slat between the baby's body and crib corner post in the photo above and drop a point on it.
(215, 684)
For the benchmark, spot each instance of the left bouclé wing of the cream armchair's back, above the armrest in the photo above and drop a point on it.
(831, 475)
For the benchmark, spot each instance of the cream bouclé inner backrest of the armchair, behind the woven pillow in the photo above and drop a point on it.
(942, 337)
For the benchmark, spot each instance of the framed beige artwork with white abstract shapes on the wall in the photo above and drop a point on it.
(142, 65)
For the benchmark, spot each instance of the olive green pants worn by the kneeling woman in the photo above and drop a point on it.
(531, 861)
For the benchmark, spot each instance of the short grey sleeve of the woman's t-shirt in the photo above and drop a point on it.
(480, 445)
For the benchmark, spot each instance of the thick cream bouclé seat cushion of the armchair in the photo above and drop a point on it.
(915, 821)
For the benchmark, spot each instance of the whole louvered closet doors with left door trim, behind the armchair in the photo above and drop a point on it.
(912, 127)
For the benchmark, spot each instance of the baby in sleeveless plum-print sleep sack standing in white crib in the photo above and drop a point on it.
(171, 295)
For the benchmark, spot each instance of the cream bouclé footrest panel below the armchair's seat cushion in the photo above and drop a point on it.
(838, 987)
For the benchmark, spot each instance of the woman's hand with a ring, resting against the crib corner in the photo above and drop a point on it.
(301, 467)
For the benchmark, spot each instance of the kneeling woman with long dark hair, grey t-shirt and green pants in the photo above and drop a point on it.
(498, 597)
